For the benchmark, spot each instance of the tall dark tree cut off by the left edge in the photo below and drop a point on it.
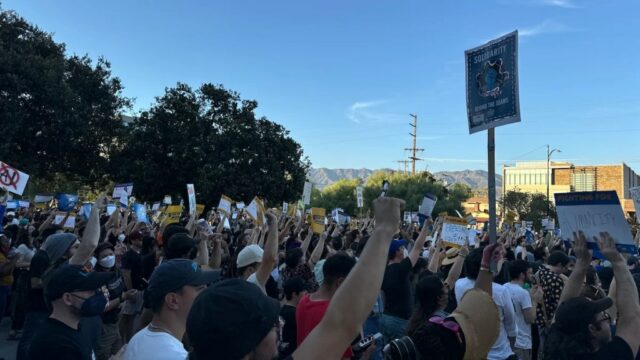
(60, 115)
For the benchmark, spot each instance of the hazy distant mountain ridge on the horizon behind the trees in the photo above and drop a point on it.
(475, 179)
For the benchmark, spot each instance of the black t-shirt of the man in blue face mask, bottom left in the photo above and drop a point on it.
(55, 340)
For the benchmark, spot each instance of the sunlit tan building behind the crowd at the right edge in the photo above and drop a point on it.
(532, 176)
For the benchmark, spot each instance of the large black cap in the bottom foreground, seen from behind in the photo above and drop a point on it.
(229, 319)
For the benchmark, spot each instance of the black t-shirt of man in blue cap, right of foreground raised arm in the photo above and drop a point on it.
(397, 289)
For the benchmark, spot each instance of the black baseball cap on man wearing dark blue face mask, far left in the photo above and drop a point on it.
(71, 278)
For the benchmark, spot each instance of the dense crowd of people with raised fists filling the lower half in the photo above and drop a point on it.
(225, 288)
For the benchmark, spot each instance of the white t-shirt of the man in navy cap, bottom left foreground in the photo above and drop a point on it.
(152, 345)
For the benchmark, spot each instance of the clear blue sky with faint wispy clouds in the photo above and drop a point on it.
(343, 76)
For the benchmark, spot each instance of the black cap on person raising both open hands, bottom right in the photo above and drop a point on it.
(576, 314)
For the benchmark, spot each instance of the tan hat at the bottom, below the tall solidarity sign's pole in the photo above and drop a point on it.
(478, 317)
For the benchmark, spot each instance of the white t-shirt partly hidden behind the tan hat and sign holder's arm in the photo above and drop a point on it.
(501, 349)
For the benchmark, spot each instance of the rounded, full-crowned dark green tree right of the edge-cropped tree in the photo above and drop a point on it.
(210, 137)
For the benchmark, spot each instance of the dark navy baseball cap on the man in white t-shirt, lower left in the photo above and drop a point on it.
(173, 274)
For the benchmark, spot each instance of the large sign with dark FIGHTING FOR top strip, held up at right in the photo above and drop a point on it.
(592, 213)
